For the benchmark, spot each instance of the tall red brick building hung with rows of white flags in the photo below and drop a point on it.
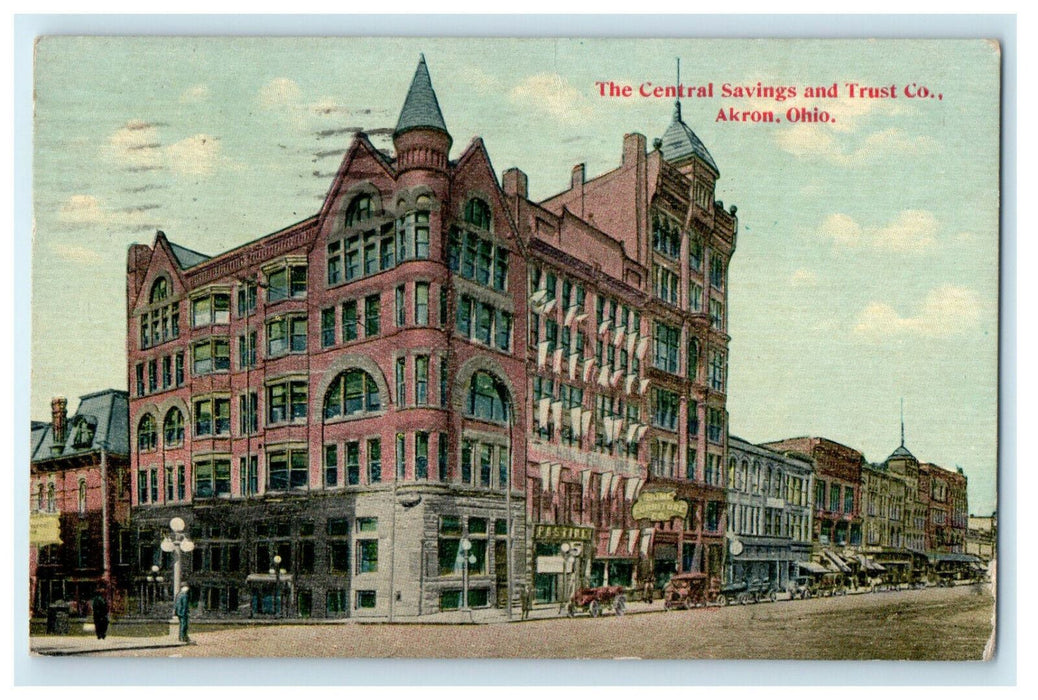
(627, 362)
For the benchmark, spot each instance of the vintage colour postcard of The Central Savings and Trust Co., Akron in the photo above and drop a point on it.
(515, 348)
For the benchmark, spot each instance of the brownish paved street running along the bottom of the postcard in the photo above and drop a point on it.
(935, 624)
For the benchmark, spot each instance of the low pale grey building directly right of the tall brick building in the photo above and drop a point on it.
(770, 514)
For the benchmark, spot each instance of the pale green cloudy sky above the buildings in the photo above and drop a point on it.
(867, 262)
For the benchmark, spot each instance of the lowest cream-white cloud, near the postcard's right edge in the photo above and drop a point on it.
(946, 311)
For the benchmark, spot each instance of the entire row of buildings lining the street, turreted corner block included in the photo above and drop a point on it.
(435, 390)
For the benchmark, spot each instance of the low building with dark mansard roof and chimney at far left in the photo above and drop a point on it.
(79, 507)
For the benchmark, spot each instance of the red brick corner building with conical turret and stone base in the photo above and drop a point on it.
(345, 395)
